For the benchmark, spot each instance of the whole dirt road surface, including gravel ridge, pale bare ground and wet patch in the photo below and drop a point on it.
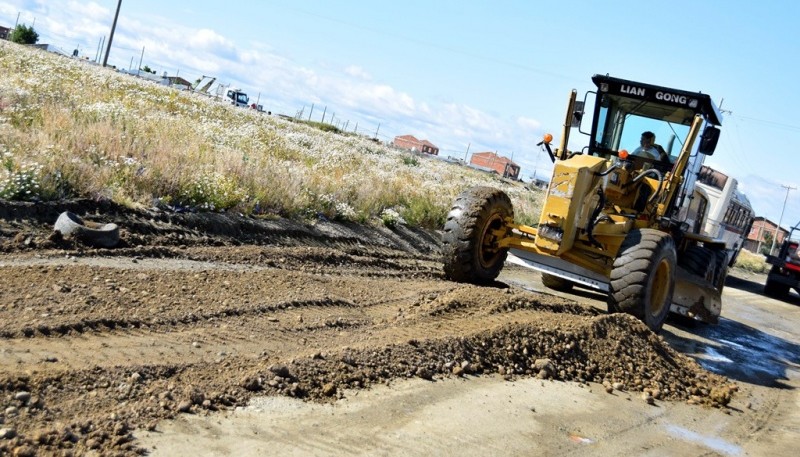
(347, 340)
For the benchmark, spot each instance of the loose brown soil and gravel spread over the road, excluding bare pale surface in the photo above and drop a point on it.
(200, 320)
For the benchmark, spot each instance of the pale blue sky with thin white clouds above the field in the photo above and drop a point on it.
(488, 76)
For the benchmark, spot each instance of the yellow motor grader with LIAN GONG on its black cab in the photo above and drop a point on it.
(617, 218)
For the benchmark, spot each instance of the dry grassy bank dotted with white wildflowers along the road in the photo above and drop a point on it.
(71, 129)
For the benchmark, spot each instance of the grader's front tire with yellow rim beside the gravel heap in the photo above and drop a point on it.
(643, 277)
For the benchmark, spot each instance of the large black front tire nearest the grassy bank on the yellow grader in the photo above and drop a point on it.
(469, 247)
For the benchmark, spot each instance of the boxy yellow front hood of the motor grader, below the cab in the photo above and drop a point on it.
(571, 197)
